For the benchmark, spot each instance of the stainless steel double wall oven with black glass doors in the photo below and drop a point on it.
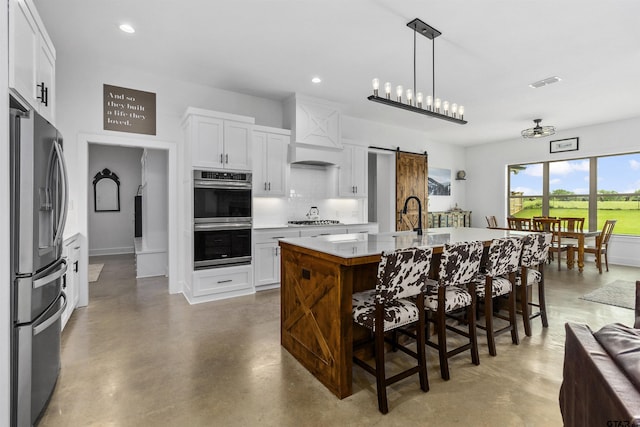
(222, 218)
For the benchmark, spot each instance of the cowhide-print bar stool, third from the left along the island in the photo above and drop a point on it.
(498, 279)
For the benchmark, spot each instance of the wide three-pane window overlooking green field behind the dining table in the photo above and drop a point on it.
(596, 188)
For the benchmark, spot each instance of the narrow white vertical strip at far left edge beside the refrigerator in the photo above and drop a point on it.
(5, 299)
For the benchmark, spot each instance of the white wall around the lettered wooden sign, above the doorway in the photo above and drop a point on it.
(79, 108)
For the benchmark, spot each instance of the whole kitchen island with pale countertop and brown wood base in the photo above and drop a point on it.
(318, 277)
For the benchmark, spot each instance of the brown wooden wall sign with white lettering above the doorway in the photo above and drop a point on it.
(129, 110)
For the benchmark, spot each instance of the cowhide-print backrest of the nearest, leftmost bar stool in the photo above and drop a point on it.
(402, 273)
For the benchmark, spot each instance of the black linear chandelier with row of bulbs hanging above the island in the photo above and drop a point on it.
(434, 107)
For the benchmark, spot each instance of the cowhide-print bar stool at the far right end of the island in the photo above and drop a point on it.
(535, 251)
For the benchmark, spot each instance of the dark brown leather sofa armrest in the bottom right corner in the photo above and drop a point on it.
(594, 391)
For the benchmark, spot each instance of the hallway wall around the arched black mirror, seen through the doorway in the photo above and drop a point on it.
(112, 232)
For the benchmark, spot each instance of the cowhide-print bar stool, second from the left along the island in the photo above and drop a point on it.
(459, 264)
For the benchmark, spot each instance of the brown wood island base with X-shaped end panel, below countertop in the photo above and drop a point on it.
(316, 322)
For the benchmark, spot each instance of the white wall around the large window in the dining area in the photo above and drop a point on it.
(486, 171)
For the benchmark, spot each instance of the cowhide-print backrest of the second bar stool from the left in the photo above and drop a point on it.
(459, 263)
